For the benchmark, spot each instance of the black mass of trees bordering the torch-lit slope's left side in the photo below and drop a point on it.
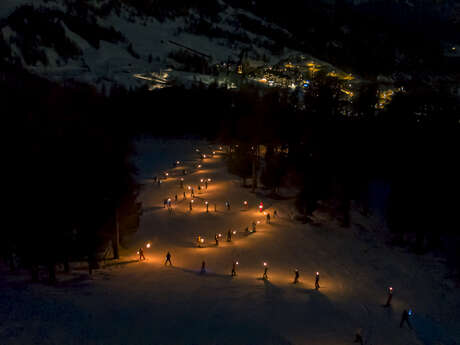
(70, 172)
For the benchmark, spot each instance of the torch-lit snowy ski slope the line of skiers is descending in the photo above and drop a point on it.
(146, 303)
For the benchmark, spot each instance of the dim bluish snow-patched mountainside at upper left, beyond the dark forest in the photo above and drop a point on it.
(108, 41)
